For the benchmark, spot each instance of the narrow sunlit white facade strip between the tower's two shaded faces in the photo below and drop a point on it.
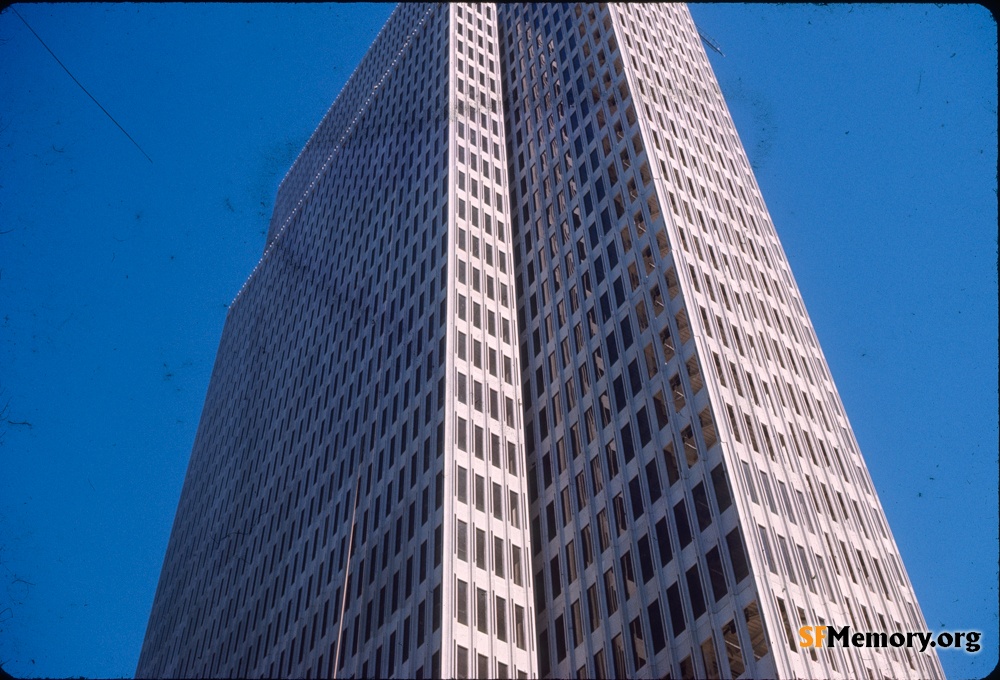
(488, 505)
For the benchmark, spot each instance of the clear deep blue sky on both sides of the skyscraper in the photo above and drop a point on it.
(872, 131)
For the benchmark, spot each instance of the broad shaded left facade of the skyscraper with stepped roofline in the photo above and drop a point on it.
(326, 406)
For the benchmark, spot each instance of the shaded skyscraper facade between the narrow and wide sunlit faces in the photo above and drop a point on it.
(603, 380)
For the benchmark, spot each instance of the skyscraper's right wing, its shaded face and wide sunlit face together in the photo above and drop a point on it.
(672, 385)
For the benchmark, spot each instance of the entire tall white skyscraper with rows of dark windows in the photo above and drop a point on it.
(522, 385)
